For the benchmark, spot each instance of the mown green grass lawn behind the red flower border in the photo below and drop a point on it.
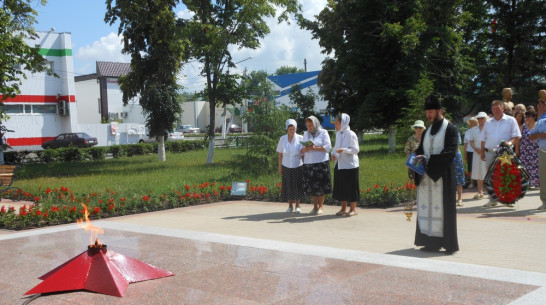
(143, 173)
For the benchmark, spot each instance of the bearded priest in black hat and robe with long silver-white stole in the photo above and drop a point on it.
(436, 188)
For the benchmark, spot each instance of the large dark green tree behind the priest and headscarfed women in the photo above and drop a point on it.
(382, 52)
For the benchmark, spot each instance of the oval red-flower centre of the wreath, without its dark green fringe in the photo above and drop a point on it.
(507, 182)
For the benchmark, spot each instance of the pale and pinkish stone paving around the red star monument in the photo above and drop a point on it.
(252, 252)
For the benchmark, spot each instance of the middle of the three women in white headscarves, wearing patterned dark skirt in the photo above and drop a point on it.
(316, 167)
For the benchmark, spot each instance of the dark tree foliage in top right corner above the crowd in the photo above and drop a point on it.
(517, 48)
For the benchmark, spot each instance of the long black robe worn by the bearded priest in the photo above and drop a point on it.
(438, 166)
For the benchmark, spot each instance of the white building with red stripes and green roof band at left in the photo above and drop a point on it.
(47, 104)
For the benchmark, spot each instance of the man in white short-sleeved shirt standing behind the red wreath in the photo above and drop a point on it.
(500, 127)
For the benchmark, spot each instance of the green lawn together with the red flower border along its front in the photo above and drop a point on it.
(129, 185)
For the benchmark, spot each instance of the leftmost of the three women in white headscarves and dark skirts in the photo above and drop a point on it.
(291, 166)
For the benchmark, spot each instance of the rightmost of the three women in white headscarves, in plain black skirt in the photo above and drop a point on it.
(345, 154)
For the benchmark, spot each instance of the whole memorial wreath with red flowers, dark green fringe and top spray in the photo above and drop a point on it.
(506, 180)
